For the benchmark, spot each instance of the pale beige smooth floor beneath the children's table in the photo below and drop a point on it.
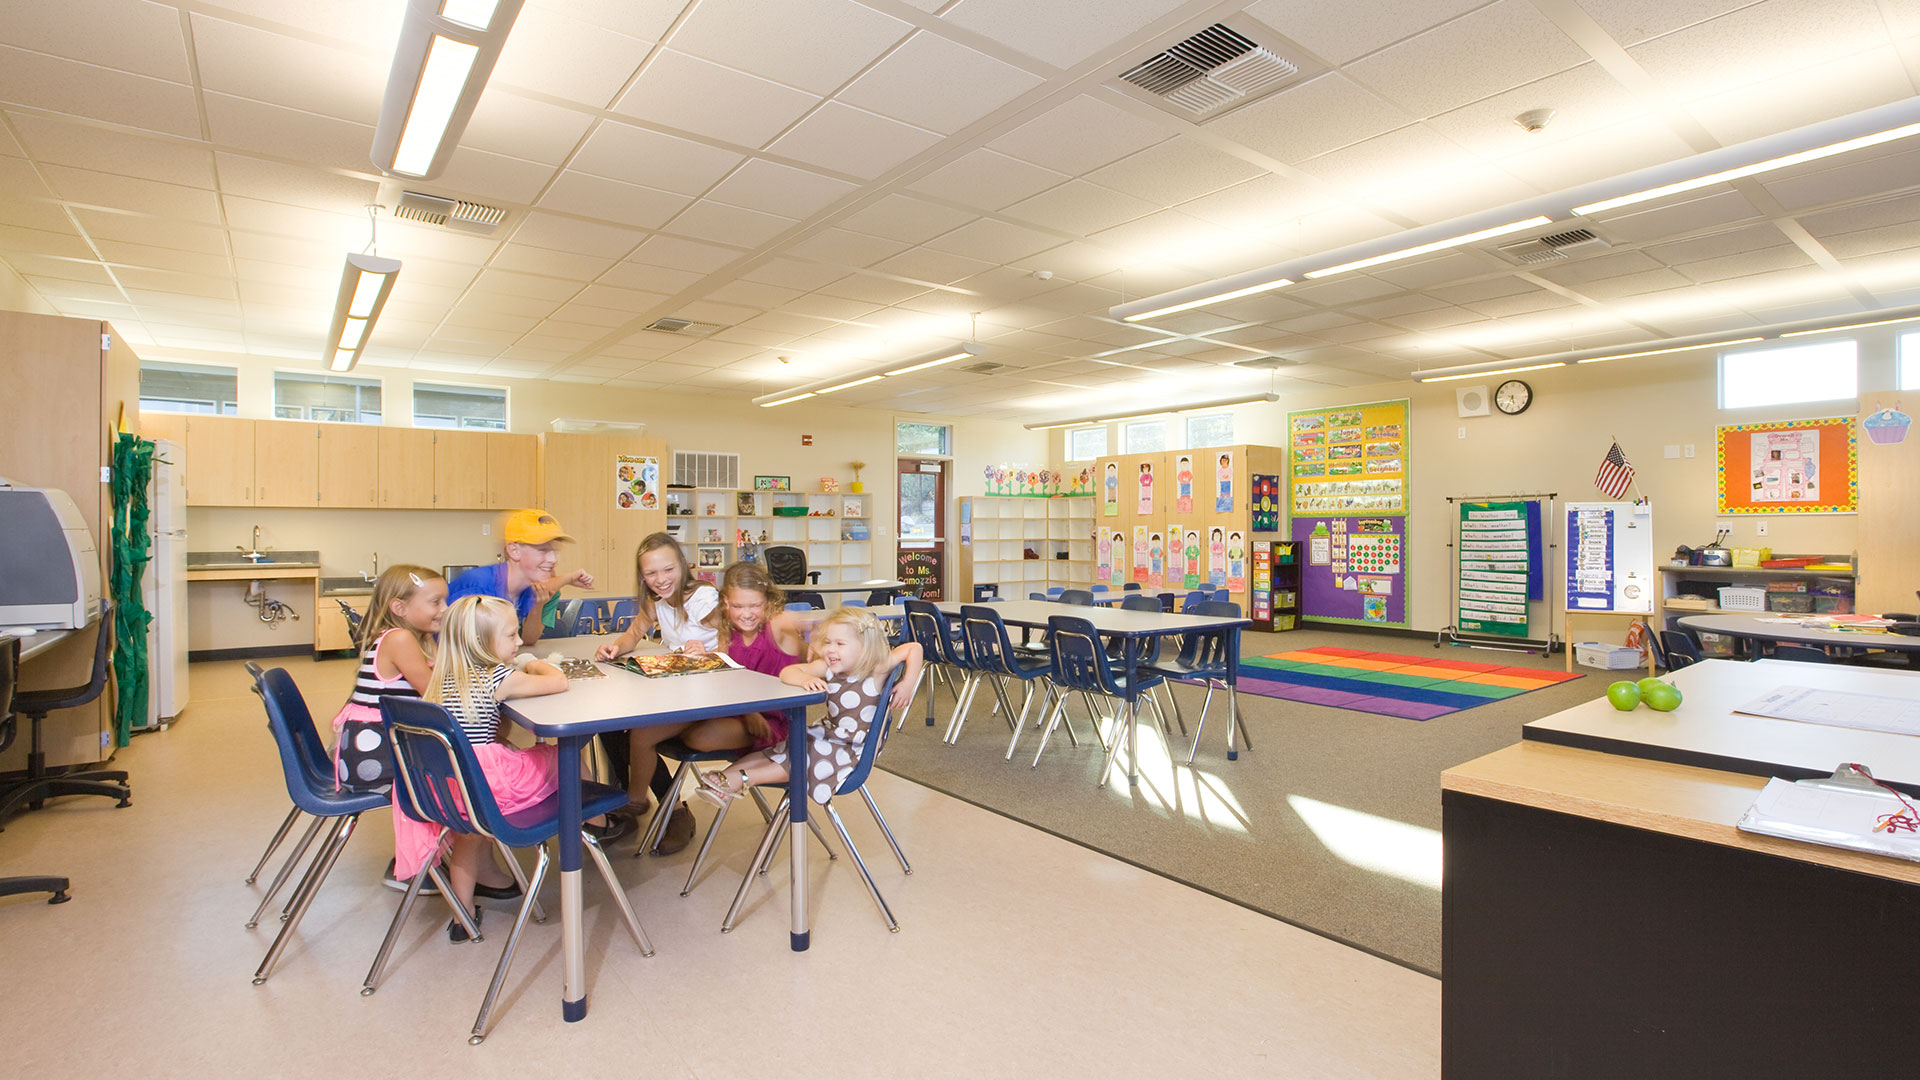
(1019, 954)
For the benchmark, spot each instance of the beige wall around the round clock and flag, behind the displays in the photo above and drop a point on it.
(1556, 447)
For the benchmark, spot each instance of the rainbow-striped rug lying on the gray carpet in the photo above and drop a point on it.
(1418, 689)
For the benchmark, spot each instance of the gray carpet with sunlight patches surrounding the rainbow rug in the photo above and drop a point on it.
(1230, 827)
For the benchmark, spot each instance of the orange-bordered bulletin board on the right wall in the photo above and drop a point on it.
(1790, 468)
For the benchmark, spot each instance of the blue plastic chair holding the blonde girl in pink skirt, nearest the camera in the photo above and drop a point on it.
(441, 783)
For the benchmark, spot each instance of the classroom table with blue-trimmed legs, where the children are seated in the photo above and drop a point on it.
(625, 700)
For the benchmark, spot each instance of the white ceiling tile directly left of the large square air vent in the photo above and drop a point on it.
(938, 84)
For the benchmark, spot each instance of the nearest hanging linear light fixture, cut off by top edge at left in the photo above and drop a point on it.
(441, 68)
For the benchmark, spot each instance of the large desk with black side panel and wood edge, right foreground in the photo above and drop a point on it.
(1604, 918)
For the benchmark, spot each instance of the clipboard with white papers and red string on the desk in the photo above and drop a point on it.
(1838, 812)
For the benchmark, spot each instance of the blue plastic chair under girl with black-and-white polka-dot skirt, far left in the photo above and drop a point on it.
(310, 783)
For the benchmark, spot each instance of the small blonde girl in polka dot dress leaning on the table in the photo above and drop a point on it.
(852, 662)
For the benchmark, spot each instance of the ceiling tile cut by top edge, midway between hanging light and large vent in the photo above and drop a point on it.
(815, 45)
